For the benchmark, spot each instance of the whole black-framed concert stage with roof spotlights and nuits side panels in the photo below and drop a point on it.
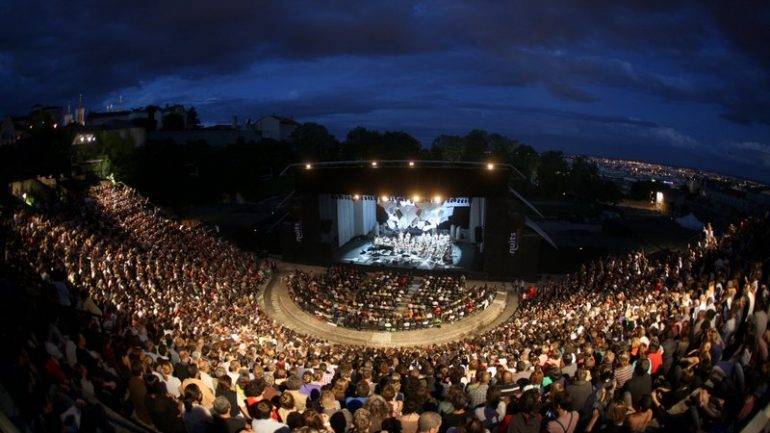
(342, 209)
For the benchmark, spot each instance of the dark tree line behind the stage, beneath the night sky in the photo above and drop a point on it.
(192, 173)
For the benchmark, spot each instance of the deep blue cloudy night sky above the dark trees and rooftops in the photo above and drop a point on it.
(684, 83)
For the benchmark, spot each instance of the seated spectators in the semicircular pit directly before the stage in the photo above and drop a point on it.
(386, 301)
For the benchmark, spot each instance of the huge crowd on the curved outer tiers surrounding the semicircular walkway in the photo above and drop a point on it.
(163, 323)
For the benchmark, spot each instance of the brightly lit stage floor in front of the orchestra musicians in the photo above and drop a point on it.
(361, 251)
